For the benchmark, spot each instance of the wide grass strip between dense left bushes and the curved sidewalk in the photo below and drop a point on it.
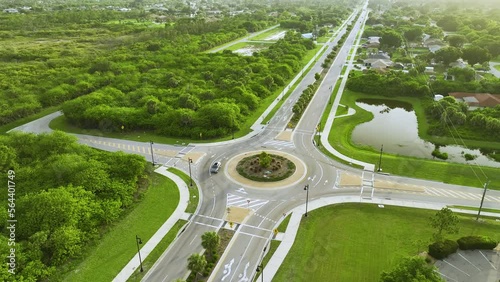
(118, 246)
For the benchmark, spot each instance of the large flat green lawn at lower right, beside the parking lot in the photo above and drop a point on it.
(356, 242)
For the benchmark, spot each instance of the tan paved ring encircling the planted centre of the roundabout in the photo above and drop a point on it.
(233, 175)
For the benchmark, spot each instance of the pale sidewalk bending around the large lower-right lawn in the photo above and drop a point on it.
(289, 237)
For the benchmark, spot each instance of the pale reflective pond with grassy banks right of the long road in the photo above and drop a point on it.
(395, 127)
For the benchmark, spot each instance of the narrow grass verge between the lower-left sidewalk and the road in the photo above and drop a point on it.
(158, 251)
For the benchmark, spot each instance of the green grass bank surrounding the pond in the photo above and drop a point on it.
(462, 174)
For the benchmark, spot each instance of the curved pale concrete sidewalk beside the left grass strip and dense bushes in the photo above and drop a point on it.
(178, 213)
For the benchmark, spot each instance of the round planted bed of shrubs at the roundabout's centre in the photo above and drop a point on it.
(265, 167)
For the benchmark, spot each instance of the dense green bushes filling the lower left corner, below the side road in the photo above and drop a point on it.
(66, 195)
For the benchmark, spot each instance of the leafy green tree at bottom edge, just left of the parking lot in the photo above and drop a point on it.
(411, 269)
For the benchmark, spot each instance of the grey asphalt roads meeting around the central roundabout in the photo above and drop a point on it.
(267, 206)
